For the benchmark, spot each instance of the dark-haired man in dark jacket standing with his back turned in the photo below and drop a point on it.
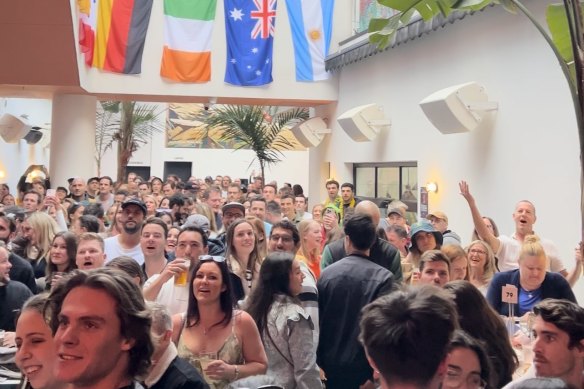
(344, 288)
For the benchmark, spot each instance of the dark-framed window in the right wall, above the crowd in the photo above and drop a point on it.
(384, 182)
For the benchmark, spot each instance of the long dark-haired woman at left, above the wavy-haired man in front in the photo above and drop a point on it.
(61, 257)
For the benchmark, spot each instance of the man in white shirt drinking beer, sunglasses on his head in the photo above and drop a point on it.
(162, 288)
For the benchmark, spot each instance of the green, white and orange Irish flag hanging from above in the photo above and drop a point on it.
(188, 26)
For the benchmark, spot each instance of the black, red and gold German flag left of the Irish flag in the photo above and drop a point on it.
(120, 35)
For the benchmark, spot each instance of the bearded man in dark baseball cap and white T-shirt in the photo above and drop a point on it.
(128, 241)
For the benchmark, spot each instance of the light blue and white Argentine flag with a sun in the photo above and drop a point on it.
(311, 22)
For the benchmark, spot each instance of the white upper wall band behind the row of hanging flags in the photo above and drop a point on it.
(284, 86)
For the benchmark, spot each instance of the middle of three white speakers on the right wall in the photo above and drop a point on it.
(363, 123)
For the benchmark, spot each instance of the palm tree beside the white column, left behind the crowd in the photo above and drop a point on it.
(130, 125)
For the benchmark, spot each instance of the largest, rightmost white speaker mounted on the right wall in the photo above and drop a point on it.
(459, 108)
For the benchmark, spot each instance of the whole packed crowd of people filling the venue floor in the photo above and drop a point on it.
(211, 283)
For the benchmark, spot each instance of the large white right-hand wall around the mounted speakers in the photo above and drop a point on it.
(530, 151)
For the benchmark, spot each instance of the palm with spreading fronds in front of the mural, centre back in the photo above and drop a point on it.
(255, 127)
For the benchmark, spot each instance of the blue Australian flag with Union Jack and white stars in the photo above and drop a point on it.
(250, 28)
